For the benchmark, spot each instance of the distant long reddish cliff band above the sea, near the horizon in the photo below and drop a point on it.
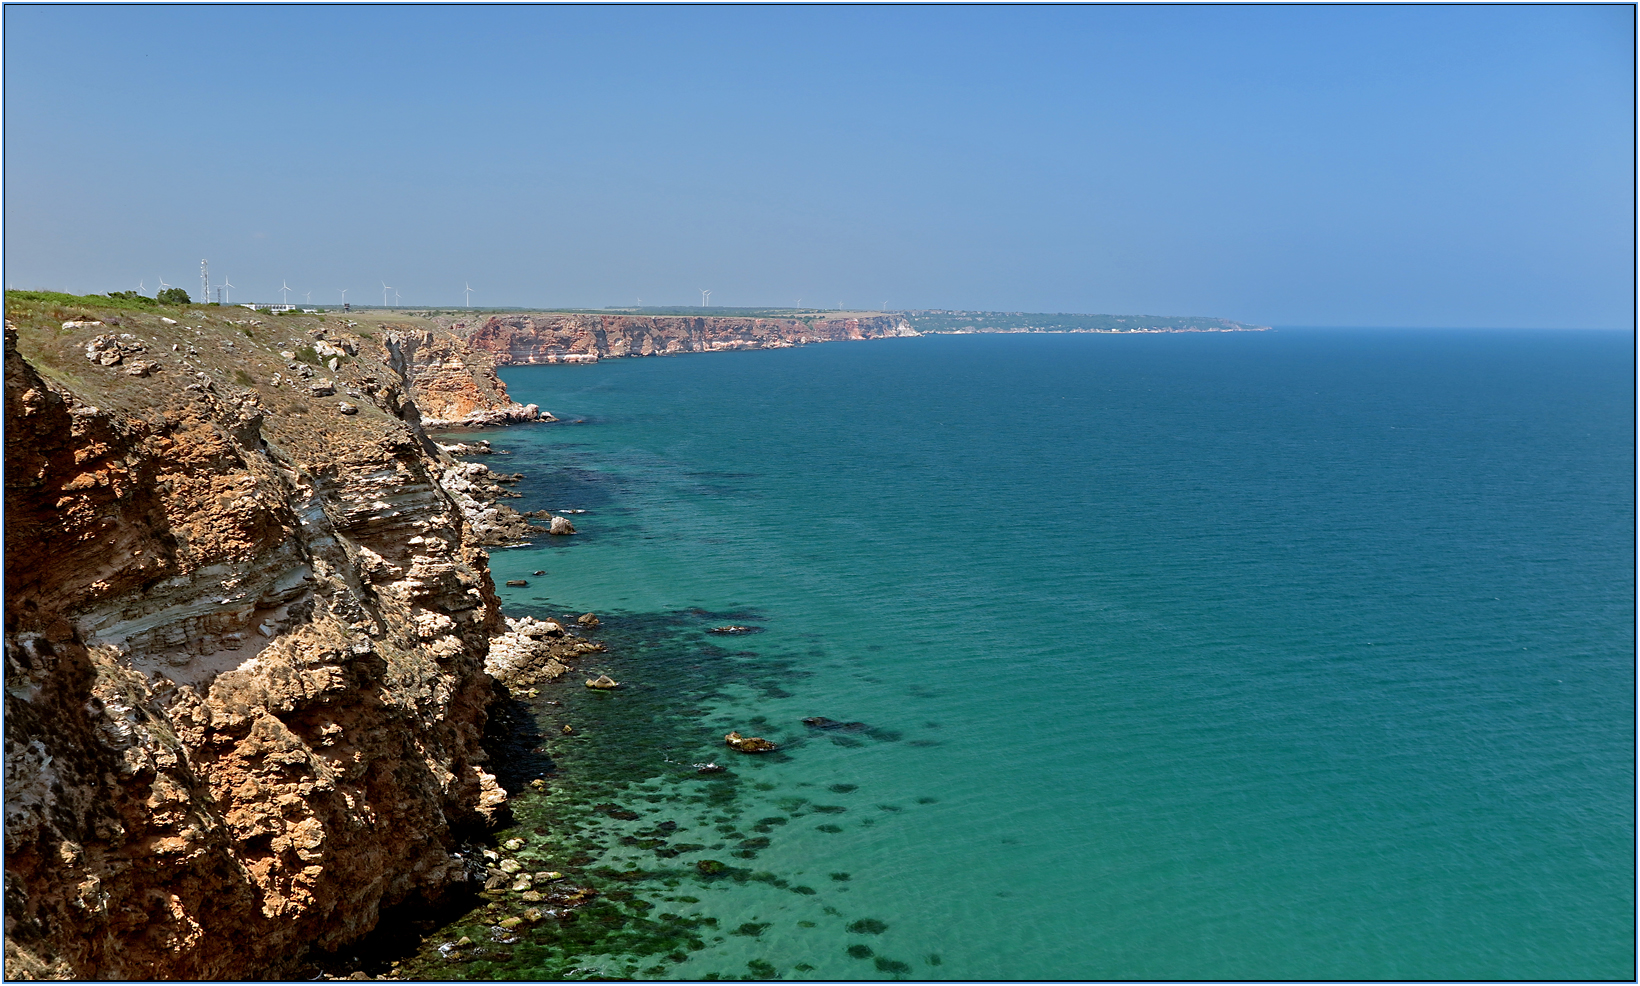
(583, 339)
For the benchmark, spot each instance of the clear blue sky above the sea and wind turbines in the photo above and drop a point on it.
(1398, 167)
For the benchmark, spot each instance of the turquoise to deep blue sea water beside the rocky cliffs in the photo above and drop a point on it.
(1280, 655)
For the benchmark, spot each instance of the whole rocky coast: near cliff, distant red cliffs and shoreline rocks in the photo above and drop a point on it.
(257, 662)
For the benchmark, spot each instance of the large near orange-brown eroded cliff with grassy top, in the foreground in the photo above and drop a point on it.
(245, 641)
